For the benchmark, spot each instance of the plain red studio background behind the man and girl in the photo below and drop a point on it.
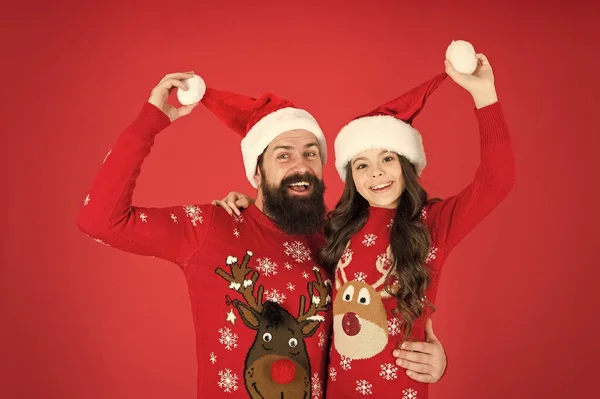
(516, 310)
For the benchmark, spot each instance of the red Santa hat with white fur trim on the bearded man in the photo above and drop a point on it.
(259, 121)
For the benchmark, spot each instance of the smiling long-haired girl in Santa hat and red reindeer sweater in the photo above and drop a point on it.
(387, 241)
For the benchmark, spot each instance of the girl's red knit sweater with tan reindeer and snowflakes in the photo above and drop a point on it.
(365, 331)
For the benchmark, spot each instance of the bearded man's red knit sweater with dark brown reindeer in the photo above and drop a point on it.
(260, 303)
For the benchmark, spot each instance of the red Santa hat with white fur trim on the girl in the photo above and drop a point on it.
(388, 127)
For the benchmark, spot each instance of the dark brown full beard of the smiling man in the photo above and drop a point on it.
(295, 214)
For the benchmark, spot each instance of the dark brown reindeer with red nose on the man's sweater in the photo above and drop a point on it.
(277, 363)
